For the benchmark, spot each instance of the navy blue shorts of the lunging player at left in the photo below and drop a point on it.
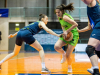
(26, 36)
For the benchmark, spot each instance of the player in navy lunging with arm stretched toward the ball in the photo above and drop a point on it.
(26, 34)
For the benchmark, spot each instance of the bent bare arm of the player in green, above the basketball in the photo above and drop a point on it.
(74, 24)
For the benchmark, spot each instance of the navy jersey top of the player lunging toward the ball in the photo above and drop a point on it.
(33, 27)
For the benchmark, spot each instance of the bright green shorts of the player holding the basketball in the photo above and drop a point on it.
(73, 42)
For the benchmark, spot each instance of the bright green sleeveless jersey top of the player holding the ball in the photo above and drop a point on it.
(67, 25)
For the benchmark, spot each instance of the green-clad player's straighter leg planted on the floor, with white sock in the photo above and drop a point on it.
(68, 56)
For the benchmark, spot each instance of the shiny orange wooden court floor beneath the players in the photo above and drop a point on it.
(29, 64)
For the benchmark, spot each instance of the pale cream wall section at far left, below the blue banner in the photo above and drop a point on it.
(4, 36)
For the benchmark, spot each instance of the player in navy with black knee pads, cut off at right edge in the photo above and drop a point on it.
(93, 47)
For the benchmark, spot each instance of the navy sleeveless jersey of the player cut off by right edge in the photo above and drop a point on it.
(94, 15)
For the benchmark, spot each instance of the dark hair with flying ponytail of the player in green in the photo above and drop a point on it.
(63, 7)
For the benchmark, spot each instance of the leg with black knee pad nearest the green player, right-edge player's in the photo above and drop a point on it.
(90, 50)
